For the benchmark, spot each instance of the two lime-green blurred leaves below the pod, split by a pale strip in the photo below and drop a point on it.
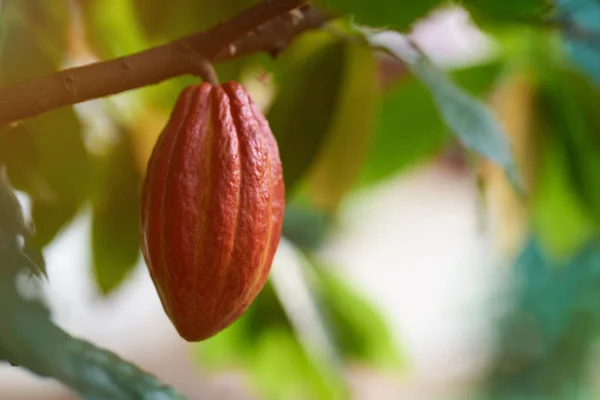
(263, 340)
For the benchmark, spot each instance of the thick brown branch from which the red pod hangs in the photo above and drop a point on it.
(266, 26)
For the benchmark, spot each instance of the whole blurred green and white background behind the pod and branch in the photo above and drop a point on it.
(408, 268)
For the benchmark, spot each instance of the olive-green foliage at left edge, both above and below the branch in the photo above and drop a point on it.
(33, 44)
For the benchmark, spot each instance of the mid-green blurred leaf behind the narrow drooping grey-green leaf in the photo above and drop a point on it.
(410, 128)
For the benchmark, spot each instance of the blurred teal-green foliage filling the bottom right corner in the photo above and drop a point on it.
(556, 321)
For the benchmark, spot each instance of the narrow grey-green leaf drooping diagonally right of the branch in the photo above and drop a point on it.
(469, 119)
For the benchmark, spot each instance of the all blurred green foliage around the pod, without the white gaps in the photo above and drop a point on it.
(338, 130)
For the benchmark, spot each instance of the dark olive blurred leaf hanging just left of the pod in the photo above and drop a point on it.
(115, 218)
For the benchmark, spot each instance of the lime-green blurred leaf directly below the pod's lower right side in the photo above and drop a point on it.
(259, 342)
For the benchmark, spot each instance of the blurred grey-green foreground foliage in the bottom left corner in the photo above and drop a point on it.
(30, 339)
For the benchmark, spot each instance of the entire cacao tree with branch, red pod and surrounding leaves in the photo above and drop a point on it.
(205, 137)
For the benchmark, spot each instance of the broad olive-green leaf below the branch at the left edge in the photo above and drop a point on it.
(46, 158)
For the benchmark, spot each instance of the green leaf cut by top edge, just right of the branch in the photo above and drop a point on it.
(395, 14)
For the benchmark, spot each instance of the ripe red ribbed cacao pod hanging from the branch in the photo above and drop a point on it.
(212, 208)
